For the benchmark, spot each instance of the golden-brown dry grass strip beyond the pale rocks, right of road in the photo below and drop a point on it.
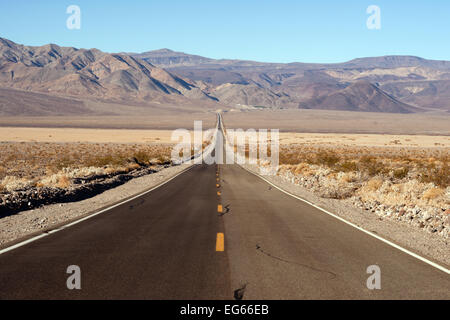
(428, 165)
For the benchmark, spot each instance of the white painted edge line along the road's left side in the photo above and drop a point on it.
(20, 244)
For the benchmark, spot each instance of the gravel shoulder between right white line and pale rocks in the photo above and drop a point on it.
(419, 241)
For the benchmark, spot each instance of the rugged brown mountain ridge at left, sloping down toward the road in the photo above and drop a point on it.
(90, 73)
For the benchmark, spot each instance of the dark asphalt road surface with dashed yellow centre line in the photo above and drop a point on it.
(168, 244)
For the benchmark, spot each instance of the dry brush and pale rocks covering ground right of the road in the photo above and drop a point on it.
(410, 184)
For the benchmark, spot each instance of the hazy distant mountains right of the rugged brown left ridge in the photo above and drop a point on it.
(405, 79)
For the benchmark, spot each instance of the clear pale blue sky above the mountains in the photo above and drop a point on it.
(262, 30)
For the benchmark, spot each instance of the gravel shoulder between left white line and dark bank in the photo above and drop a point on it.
(31, 222)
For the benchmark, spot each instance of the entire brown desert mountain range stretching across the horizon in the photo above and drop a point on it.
(396, 84)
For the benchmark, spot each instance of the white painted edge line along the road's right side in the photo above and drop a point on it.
(431, 263)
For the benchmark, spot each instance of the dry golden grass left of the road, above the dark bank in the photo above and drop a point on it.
(25, 164)
